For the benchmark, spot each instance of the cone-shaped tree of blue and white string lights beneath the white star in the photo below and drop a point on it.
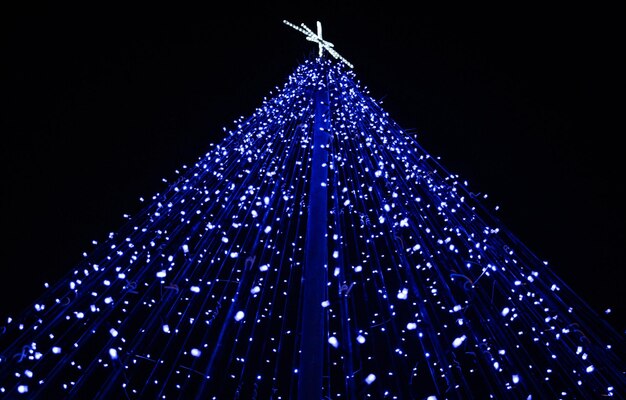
(425, 294)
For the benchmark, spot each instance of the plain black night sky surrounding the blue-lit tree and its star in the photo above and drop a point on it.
(527, 104)
